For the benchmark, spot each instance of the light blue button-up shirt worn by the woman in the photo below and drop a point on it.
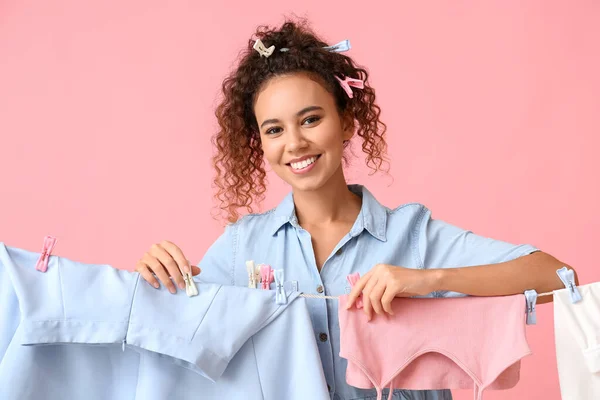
(406, 236)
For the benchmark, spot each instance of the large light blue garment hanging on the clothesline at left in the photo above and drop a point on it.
(87, 331)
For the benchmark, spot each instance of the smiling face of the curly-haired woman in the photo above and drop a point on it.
(301, 130)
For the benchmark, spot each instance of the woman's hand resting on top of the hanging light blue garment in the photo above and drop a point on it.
(165, 261)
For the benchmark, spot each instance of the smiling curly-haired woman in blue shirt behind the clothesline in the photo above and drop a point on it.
(296, 103)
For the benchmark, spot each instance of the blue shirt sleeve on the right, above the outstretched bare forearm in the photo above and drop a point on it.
(443, 245)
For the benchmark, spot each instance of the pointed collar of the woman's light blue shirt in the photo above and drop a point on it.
(372, 216)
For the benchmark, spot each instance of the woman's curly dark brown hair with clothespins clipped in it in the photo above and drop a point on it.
(239, 164)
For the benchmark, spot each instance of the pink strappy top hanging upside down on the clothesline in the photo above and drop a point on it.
(432, 344)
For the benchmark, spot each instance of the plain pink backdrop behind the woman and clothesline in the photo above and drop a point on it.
(493, 109)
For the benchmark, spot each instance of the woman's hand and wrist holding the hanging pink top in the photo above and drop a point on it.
(384, 282)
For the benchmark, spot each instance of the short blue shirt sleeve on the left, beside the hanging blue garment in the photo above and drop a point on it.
(218, 263)
